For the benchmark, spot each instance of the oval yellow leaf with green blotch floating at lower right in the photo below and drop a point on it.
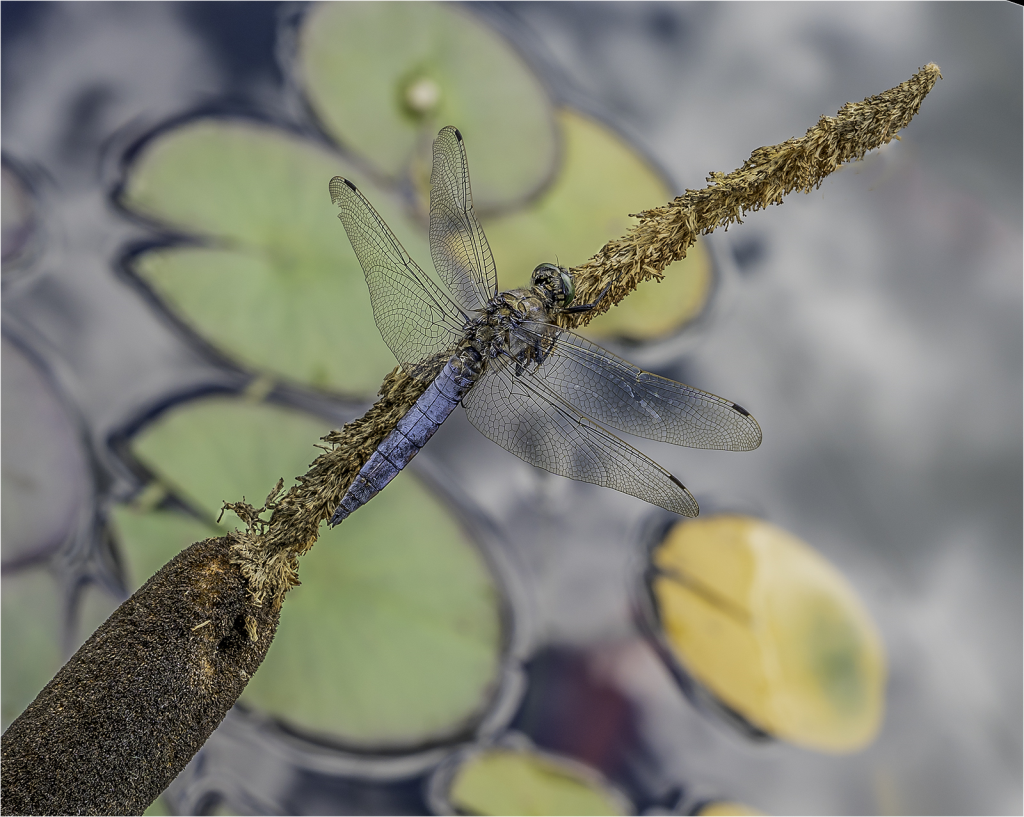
(773, 630)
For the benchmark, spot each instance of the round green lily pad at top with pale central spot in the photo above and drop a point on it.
(385, 78)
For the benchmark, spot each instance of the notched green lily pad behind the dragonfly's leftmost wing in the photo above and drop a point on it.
(277, 286)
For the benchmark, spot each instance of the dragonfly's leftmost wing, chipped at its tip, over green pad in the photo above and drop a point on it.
(416, 318)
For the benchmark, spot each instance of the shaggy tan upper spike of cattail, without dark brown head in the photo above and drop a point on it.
(664, 236)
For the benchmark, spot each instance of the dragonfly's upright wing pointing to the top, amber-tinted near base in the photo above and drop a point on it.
(458, 246)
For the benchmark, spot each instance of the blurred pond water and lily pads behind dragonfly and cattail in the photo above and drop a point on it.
(840, 631)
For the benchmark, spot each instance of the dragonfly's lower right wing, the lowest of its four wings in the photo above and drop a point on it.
(523, 416)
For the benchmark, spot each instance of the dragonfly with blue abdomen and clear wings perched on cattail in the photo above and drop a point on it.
(537, 390)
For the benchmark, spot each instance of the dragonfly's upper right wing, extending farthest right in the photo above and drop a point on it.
(604, 386)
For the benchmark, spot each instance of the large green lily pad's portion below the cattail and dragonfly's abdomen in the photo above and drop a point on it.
(394, 639)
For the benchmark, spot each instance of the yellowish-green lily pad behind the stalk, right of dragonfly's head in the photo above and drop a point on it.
(601, 183)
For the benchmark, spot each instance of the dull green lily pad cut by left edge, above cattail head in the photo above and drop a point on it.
(31, 638)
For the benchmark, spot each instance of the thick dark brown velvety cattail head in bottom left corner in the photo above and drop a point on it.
(137, 702)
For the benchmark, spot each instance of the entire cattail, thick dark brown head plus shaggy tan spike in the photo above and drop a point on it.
(130, 710)
